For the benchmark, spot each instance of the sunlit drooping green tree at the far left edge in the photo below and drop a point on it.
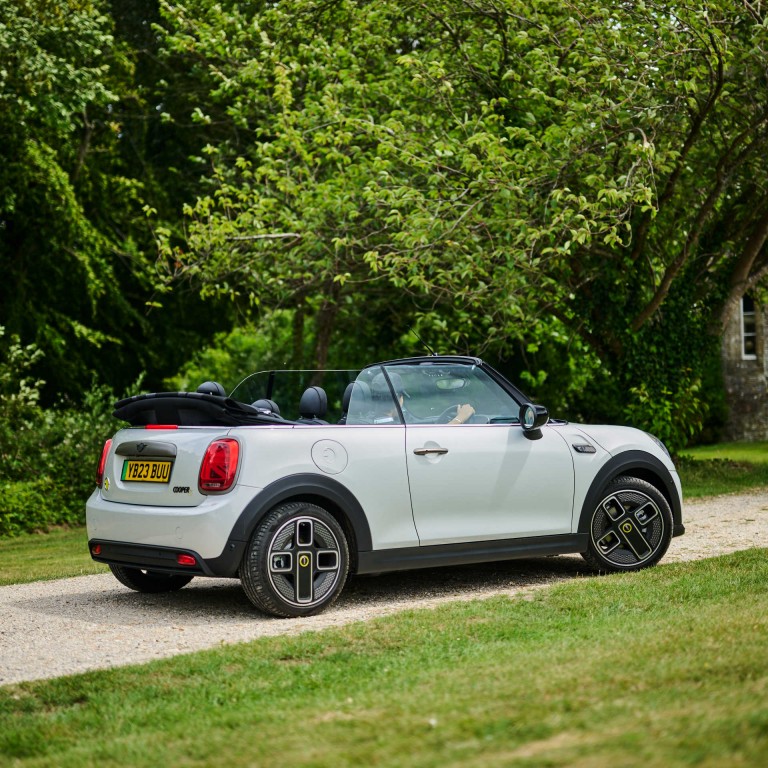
(58, 266)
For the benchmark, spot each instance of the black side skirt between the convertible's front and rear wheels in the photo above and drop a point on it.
(467, 553)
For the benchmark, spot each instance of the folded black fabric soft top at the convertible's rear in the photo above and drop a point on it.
(191, 409)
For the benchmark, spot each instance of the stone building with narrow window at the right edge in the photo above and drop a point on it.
(745, 371)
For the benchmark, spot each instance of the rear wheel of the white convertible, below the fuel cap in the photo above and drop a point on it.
(297, 561)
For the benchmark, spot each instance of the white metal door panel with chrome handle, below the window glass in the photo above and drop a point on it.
(488, 481)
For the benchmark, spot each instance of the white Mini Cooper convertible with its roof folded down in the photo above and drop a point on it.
(298, 479)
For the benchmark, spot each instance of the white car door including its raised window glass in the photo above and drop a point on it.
(484, 479)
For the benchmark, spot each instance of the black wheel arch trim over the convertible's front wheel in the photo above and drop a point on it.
(634, 464)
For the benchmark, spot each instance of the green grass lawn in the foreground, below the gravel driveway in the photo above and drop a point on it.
(666, 667)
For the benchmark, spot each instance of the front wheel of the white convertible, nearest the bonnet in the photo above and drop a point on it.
(630, 528)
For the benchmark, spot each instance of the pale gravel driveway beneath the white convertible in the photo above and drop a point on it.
(54, 628)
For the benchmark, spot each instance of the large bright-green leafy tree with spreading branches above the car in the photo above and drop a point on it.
(490, 170)
